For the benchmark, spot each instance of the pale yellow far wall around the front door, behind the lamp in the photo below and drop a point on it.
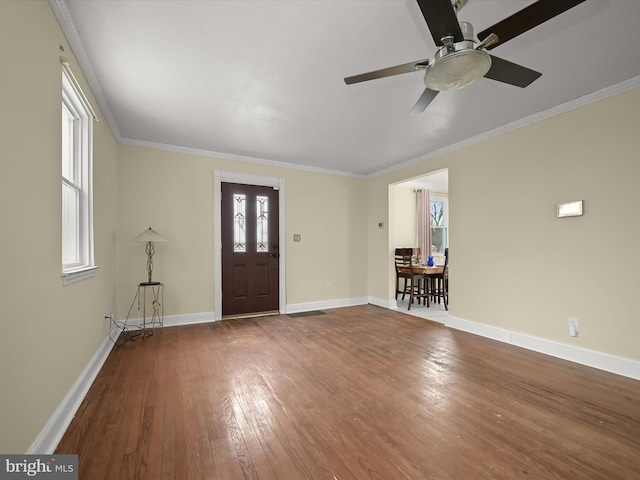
(173, 193)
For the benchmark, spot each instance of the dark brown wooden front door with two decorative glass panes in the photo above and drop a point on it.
(250, 249)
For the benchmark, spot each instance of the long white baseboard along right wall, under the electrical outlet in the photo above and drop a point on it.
(591, 358)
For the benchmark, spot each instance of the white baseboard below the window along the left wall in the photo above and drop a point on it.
(52, 433)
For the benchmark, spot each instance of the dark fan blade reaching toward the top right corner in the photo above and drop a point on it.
(526, 19)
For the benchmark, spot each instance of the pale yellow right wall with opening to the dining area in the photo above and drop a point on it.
(514, 265)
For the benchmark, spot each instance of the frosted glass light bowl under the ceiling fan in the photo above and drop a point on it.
(457, 69)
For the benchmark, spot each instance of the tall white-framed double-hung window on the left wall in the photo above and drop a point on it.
(77, 177)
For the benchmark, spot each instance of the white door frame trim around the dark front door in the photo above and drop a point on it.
(234, 177)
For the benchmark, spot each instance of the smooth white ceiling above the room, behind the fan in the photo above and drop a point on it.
(263, 80)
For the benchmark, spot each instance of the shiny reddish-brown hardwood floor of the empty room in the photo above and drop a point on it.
(357, 393)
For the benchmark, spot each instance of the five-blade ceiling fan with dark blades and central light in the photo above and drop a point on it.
(459, 61)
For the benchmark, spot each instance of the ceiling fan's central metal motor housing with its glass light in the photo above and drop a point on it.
(458, 64)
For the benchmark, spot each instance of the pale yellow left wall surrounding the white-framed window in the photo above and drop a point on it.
(49, 331)
